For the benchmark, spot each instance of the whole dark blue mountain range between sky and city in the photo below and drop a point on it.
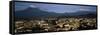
(30, 12)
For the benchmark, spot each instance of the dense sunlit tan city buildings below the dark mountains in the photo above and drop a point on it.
(54, 25)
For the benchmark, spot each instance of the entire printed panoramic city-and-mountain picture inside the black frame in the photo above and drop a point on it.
(40, 18)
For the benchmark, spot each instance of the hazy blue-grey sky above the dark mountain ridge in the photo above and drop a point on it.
(54, 7)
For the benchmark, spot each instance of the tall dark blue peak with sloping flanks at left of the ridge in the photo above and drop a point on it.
(29, 12)
